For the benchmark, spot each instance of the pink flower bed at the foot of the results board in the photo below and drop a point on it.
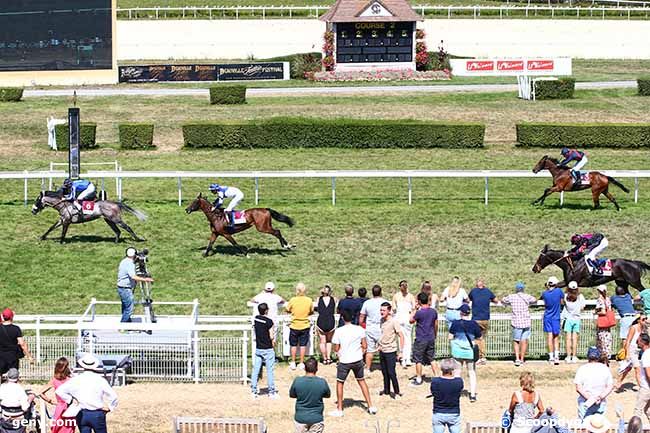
(379, 75)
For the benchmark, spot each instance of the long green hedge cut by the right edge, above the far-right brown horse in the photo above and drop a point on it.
(583, 135)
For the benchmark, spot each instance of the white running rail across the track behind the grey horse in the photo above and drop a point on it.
(333, 175)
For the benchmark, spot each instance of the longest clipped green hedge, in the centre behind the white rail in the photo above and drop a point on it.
(282, 132)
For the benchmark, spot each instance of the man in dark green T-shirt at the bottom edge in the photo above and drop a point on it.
(309, 392)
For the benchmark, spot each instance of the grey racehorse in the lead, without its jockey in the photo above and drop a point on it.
(68, 214)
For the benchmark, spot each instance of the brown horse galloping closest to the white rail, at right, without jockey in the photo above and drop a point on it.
(563, 181)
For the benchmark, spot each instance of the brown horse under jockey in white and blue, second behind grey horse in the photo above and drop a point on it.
(258, 217)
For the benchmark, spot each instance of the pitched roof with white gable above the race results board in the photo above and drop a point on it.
(345, 11)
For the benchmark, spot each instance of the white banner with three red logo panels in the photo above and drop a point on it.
(506, 67)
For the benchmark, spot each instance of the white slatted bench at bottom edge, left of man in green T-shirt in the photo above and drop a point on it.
(183, 424)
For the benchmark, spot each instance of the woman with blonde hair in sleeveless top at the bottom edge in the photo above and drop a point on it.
(525, 405)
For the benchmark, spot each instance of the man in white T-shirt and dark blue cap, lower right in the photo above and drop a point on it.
(593, 384)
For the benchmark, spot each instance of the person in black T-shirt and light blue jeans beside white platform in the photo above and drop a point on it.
(264, 352)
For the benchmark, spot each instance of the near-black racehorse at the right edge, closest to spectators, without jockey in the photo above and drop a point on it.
(624, 272)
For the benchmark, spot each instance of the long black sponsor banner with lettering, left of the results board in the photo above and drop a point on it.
(225, 72)
